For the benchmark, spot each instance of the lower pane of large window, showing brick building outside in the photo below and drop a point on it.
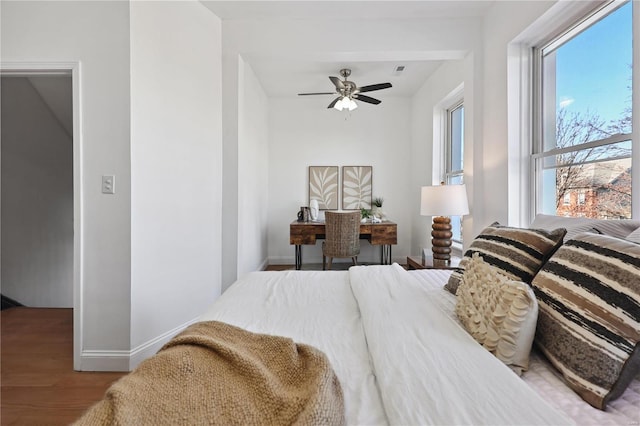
(602, 190)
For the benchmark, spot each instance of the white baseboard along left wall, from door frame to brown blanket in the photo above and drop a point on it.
(105, 360)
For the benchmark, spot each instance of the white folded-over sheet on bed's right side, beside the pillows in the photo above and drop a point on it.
(429, 369)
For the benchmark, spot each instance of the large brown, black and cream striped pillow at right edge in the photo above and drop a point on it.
(589, 315)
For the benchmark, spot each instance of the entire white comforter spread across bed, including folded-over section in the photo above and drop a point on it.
(399, 357)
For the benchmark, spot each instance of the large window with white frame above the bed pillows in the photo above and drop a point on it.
(583, 130)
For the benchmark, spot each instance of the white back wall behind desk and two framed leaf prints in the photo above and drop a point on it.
(303, 133)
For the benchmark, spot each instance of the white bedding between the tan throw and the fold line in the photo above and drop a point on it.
(316, 308)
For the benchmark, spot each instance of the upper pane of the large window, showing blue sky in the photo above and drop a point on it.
(586, 88)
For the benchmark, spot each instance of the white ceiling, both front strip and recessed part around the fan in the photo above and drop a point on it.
(297, 72)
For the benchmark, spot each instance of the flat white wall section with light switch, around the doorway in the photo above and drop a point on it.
(97, 35)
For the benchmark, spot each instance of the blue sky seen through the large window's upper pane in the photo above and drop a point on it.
(594, 68)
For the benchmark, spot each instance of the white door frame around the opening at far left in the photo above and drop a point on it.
(68, 68)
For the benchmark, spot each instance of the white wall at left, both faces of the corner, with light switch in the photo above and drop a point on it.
(176, 156)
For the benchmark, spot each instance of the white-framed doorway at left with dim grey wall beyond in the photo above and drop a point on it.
(41, 187)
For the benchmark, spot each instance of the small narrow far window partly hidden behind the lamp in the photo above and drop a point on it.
(454, 150)
